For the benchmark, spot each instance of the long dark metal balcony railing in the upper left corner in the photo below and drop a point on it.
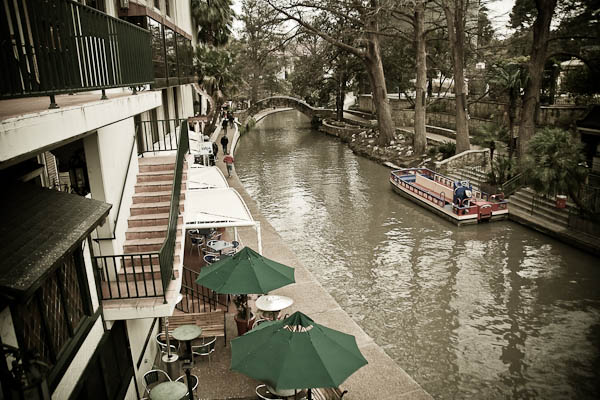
(61, 46)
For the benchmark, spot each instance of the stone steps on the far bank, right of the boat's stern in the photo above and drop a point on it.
(525, 203)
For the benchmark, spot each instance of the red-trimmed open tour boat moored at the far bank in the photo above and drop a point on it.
(456, 201)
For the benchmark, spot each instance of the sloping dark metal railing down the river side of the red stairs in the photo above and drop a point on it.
(168, 248)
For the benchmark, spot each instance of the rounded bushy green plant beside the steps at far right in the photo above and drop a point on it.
(554, 163)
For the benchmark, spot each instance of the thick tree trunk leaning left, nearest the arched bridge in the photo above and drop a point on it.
(378, 88)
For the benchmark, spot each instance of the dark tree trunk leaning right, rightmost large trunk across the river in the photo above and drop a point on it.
(541, 32)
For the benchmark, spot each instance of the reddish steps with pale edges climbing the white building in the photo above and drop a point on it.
(140, 275)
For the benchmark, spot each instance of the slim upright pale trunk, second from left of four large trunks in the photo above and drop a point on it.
(420, 138)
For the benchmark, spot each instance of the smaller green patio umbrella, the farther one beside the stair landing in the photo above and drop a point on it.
(247, 272)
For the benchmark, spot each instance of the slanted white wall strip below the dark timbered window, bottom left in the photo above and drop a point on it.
(73, 373)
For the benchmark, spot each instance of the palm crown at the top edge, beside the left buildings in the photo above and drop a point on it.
(213, 20)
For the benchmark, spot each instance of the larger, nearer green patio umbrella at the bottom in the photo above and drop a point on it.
(296, 353)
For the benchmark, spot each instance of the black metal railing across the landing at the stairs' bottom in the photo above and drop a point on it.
(127, 276)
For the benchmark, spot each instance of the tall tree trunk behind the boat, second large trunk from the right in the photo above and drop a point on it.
(454, 11)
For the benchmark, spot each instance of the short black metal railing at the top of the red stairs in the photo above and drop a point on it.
(159, 135)
